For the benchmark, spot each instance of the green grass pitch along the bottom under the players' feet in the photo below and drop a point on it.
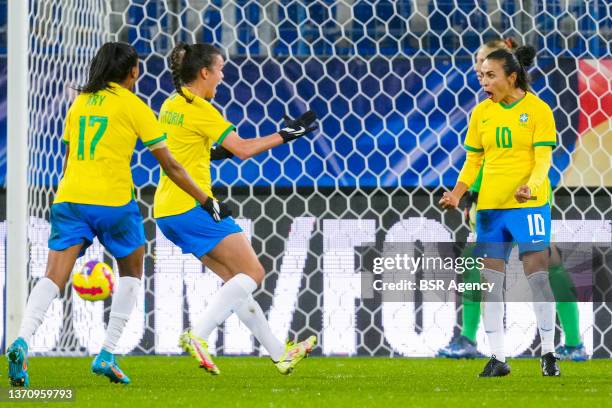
(323, 383)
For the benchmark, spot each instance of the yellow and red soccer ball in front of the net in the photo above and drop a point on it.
(94, 281)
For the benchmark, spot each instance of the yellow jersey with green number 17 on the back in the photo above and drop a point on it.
(102, 129)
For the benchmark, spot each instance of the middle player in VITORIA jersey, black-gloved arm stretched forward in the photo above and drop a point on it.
(193, 124)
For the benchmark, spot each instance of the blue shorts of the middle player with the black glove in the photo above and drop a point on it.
(195, 232)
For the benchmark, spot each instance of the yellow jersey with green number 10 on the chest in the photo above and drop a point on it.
(507, 135)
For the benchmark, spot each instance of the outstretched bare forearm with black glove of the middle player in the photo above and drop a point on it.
(294, 129)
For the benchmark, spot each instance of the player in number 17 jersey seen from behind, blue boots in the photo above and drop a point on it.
(95, 198)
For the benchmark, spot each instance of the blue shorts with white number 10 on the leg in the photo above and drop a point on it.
(498, 230)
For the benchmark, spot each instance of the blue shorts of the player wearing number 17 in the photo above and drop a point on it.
(119, 229)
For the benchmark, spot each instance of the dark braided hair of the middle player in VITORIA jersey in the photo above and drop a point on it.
(186, 61)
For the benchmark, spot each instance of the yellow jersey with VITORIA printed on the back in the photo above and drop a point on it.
(192, 128)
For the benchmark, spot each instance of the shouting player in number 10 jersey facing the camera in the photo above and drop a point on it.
(513, 131)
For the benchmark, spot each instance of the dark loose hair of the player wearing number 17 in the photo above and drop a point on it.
(112, 63)
